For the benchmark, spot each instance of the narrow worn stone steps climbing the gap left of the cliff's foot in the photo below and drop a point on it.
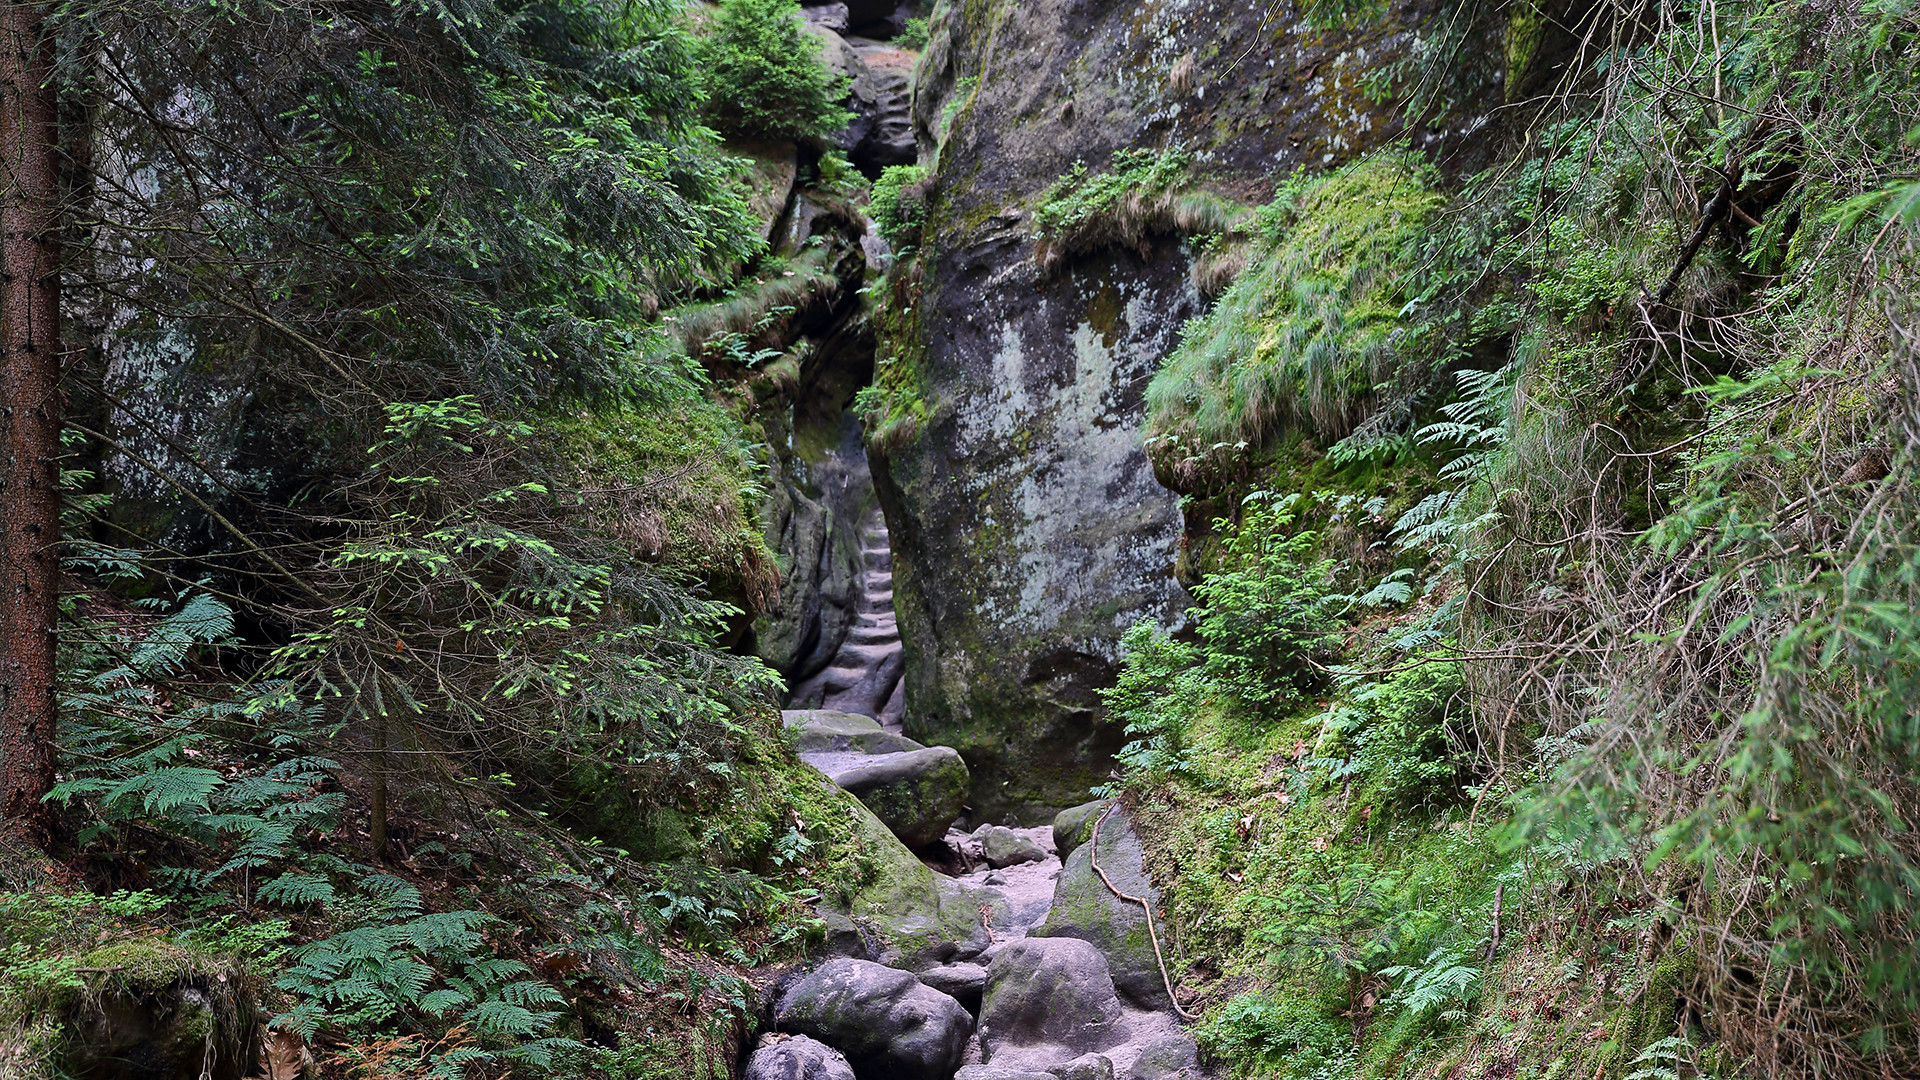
(865, 675)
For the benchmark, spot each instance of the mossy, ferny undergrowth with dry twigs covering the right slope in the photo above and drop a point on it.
(1573, 733)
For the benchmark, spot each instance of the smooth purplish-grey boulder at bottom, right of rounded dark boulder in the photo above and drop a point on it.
(1049, 1000)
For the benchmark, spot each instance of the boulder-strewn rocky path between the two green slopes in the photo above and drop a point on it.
(1053, 977)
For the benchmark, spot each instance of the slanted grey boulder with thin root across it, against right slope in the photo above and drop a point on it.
(1084, 908)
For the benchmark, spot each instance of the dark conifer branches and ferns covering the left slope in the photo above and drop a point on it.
(414, 518)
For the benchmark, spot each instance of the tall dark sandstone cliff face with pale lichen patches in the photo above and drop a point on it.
(1028, 526)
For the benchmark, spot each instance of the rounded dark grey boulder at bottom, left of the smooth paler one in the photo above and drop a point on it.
(882, 1019)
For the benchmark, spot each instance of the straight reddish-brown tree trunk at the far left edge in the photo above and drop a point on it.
(30, 420)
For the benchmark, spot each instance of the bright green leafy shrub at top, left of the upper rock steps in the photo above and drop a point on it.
(765, 78)
